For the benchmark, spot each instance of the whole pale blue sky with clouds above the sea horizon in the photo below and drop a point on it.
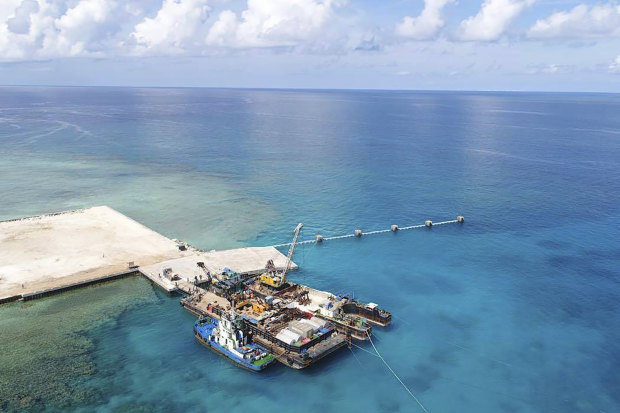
(524, 45)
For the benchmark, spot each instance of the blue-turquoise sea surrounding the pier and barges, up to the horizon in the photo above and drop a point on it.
(517, 310)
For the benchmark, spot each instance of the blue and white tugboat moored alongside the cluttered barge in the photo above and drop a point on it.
(228, 338)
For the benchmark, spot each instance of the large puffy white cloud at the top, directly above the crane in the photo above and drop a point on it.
(271, 23)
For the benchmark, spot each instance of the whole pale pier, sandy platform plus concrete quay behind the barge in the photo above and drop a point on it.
(50, 253)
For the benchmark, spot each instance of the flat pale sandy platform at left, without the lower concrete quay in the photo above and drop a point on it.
(51, 250)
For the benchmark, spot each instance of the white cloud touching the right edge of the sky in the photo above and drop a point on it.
(581, 22)
